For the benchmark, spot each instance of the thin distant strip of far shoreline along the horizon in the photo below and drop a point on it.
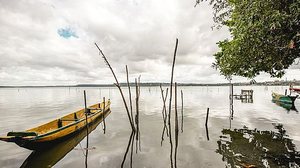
(156, 84)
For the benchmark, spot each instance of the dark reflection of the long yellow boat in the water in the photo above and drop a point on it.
(53, 154)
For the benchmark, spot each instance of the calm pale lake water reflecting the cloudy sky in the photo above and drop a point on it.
(261, 133)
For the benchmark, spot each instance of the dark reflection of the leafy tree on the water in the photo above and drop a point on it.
(254, 148)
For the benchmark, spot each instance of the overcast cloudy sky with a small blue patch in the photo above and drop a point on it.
(52, 42)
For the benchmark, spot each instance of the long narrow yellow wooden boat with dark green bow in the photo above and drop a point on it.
(58, 129)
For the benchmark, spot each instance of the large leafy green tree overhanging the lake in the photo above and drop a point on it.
(265, 36)
